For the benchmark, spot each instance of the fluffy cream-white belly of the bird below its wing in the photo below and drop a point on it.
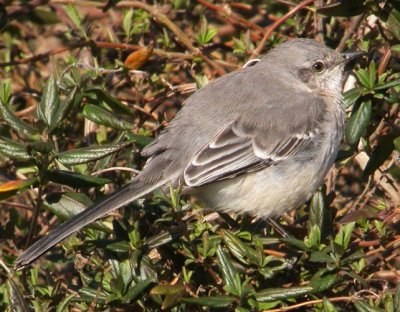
(267, 192)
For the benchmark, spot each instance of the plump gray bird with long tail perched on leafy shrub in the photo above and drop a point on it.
(259, 140)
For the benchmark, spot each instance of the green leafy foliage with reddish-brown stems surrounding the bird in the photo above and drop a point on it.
(104, 79)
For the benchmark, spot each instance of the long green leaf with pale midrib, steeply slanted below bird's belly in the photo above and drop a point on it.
(229, 273)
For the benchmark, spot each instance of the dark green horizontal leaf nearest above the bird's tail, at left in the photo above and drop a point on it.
(75, 179)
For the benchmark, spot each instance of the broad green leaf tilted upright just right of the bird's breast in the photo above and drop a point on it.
(358, 122)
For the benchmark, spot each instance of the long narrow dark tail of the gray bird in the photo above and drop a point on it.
(120, 198)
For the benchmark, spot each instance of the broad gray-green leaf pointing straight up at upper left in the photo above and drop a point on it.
(49, 104)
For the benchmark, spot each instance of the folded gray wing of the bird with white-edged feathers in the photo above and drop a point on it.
(240, 149)
